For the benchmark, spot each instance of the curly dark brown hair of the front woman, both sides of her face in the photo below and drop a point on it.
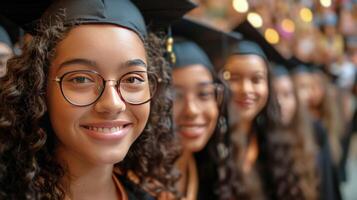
(28, 168)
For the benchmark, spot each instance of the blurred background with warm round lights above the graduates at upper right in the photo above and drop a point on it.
(322, 32)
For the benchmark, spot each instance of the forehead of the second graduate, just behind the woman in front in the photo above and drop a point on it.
(191, 75)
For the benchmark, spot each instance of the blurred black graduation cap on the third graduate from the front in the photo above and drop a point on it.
(258, 45)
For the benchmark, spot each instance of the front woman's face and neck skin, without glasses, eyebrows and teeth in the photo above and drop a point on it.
(85, 155)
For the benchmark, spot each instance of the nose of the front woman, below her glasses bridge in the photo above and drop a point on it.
(110, 102)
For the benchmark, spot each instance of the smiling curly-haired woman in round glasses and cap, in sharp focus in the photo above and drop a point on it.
(80, 110)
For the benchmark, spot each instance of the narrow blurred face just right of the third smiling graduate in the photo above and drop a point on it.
(284, 89)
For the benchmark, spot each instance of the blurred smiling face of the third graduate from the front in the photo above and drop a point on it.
(249, 84)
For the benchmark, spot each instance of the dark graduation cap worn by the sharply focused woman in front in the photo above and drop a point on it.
(124, 13)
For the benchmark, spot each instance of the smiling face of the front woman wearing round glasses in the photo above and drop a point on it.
(100, 133)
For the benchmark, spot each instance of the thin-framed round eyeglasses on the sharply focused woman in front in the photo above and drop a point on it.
(85, 87)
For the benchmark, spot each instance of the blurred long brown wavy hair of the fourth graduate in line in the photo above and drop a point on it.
(295, 170)
